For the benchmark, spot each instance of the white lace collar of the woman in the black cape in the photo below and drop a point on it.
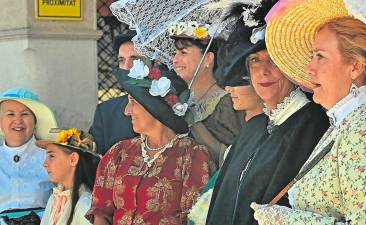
(290, 104)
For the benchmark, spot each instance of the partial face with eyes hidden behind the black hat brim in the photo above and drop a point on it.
(243, 97)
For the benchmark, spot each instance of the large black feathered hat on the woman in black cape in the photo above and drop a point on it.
(231, 55)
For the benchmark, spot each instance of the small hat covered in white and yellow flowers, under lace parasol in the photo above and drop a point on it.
(191, 30)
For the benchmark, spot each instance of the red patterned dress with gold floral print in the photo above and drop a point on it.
(127, 191)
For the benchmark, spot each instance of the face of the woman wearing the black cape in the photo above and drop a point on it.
(268, 81)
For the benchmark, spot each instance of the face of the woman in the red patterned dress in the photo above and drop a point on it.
(142, 120)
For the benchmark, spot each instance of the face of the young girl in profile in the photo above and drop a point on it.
(60, 165)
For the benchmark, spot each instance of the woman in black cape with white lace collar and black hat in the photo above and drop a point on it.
(271, 147)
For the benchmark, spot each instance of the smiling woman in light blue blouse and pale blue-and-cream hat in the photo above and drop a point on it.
(25, 185)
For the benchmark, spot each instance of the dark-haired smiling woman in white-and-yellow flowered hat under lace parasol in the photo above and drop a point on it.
(212, 120)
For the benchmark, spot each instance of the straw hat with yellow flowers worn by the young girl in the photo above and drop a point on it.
(72, 139)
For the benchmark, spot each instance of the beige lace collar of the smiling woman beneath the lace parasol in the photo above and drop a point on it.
(205, 107)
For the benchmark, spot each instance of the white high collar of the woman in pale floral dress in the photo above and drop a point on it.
(345, 106)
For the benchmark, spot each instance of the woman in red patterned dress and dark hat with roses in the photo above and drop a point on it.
(156, 177)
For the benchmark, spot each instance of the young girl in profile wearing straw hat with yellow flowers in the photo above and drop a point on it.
(71, 163)
